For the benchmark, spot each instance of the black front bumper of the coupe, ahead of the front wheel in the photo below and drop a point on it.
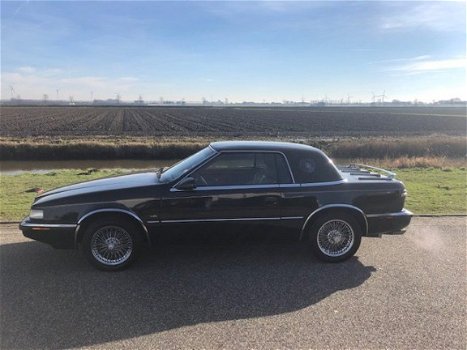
(60, 236)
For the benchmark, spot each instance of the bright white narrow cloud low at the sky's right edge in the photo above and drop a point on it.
(422, 64)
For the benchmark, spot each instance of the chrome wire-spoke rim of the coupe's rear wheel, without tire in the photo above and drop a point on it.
(335, 238)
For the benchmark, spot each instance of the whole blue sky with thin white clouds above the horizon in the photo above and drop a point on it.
(240, 51)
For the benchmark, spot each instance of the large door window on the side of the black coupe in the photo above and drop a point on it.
(243, 168)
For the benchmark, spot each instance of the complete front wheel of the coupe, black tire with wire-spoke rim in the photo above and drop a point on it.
(111, 244)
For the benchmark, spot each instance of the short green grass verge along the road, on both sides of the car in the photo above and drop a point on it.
(431, 191)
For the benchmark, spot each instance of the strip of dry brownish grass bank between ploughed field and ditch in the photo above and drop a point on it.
(412, 151)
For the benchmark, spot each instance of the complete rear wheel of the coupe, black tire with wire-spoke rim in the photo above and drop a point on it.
(335, 237)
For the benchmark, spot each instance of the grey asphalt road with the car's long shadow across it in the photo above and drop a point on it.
(398, 292)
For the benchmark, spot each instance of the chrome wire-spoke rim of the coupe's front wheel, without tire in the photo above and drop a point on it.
(111, 245)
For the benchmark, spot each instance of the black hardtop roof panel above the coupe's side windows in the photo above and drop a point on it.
(261, 146)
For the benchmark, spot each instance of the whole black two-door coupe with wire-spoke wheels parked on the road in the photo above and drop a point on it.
(227, 184)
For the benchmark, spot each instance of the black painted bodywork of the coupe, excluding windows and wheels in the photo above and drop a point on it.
(377, 202)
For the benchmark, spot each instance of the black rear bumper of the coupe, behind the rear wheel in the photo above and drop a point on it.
(388, 223)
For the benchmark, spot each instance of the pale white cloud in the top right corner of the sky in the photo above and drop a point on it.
(439, 16)
